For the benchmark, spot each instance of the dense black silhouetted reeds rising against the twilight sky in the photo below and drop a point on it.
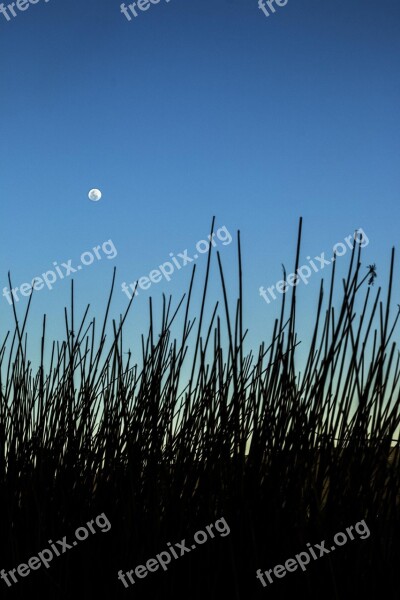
(164, 448)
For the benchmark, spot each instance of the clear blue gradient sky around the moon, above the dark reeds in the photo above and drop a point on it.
(195, 108)
